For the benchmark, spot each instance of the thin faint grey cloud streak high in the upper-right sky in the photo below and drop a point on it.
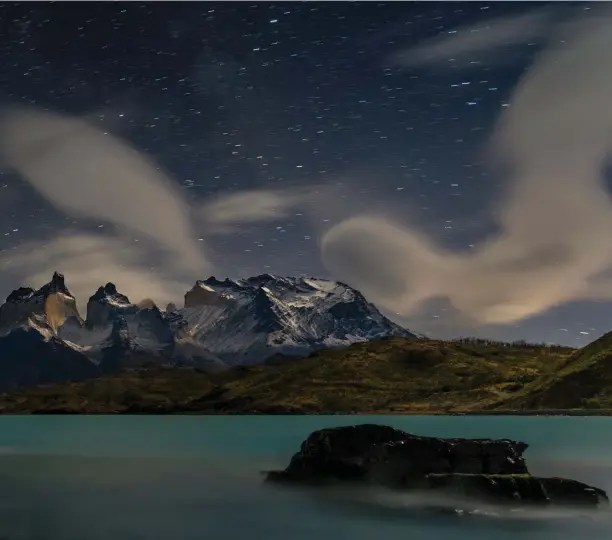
(483, 38)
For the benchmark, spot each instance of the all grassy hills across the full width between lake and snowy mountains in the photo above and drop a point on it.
(388, 375)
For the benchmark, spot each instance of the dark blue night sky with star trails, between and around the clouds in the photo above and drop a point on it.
(232, 96)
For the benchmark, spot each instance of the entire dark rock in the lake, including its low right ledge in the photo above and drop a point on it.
(490, 470)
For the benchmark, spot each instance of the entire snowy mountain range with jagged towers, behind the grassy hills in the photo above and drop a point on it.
(223, 323)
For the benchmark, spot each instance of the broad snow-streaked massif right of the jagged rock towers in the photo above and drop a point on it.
(261, 315)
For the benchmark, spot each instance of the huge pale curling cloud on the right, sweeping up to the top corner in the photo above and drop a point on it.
(555, 219)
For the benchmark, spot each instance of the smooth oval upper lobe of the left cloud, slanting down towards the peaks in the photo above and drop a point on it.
(83, 171)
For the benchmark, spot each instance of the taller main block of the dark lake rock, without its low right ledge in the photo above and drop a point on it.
(391, 457)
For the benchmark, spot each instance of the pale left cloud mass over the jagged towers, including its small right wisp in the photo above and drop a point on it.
(86, 172)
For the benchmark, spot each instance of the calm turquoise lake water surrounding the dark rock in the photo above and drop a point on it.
(180, 478)
